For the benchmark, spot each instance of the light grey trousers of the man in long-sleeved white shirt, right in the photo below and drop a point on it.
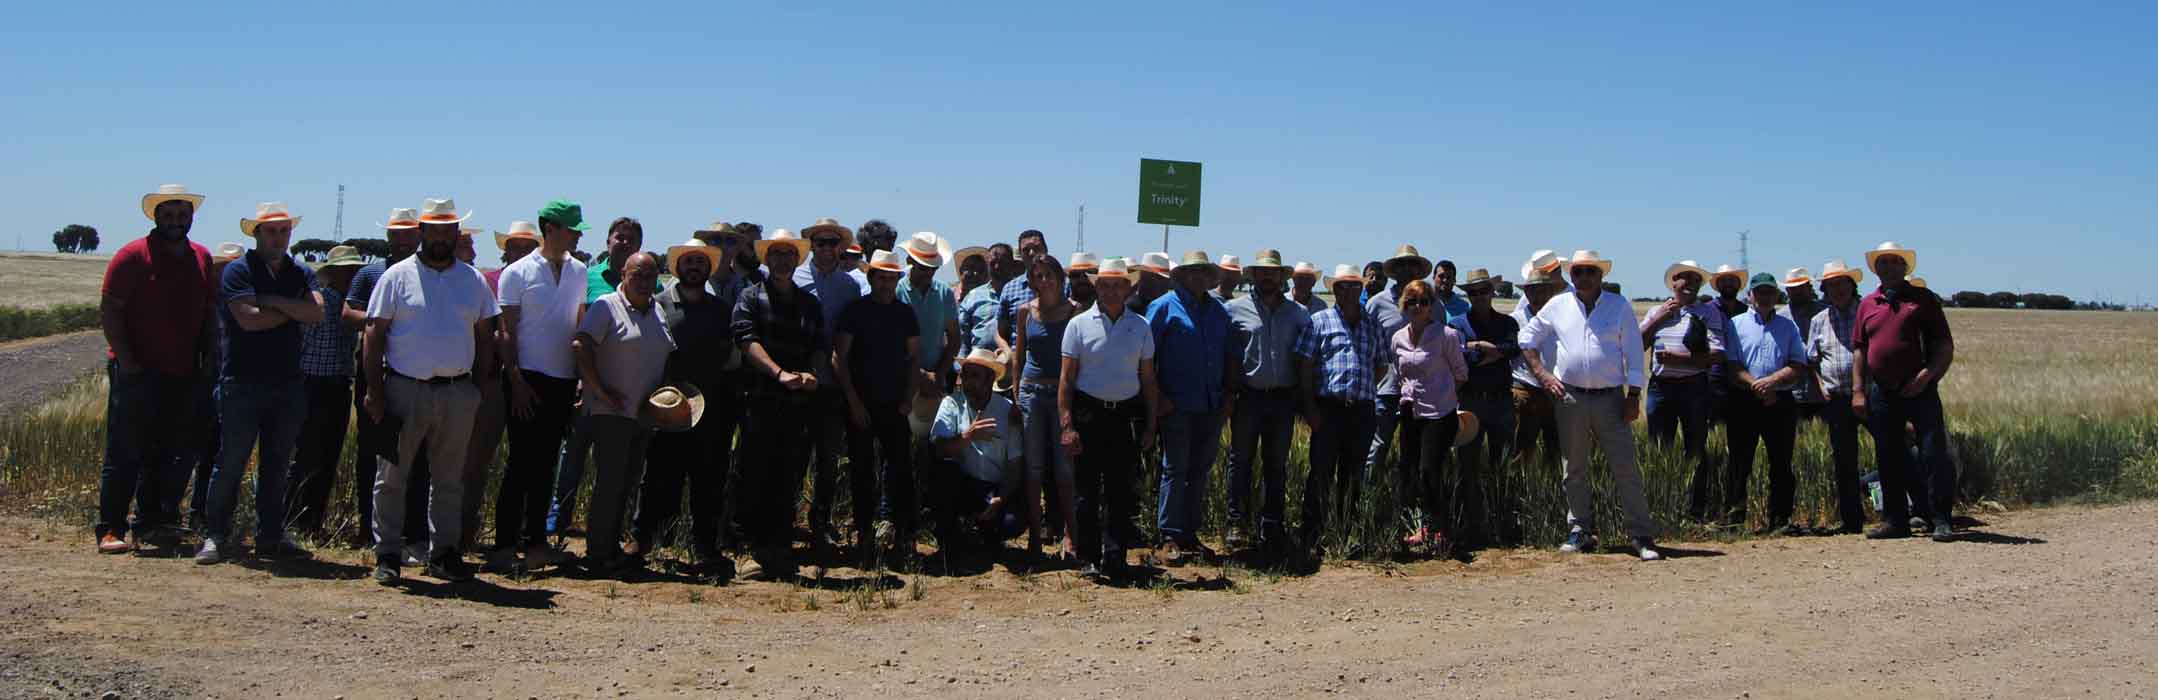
(1602, 416)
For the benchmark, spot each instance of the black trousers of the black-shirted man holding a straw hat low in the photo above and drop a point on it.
(700, 457)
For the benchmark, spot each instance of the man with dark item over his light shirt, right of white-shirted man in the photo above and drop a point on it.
(1686, 340)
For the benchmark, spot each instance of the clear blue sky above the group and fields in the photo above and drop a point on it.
(2012, 144)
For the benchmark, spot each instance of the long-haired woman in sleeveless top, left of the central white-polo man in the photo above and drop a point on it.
(1041, 358)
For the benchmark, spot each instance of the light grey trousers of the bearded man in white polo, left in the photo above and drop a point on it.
(439, 418)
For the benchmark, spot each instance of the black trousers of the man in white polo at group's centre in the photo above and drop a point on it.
(1106, 476)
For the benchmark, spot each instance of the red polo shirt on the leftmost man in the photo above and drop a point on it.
(167, 299)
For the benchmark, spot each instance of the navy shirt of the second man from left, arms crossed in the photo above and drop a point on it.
(271, 353)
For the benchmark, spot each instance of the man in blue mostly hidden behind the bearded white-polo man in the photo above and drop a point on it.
(377, 442)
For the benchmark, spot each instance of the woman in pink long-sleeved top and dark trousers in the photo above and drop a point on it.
(1428, 355)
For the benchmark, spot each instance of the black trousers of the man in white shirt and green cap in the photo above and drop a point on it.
(534, 446)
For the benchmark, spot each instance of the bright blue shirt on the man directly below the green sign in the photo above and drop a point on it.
(1190, 349)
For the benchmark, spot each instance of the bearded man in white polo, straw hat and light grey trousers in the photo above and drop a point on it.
(431, 336)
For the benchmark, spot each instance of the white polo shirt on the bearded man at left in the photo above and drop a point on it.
(433, 314)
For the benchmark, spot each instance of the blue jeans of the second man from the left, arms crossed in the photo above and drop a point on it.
(269, 414)
